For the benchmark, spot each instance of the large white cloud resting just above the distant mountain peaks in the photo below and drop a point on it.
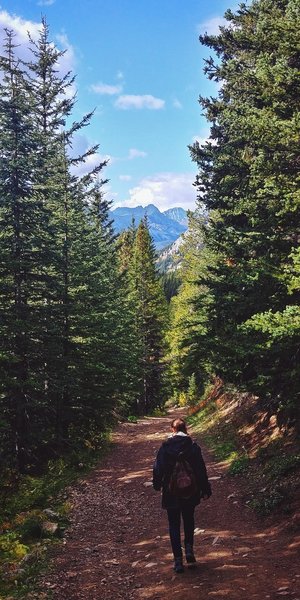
(165, 190)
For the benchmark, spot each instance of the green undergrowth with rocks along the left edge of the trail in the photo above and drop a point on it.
(34, 515)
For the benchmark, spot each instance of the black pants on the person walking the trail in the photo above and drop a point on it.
(174, 517)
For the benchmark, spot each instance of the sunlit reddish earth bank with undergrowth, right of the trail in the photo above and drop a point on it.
(246, 437)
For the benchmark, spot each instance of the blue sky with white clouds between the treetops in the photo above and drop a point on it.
(139, 63)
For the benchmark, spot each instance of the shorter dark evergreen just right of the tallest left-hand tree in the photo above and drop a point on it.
(97, 321)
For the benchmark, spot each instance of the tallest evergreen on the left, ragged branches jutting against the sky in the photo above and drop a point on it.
(65, 196)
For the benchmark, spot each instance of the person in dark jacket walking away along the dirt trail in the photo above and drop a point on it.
(179, 470)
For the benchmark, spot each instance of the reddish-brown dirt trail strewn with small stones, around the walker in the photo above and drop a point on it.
(118, 545)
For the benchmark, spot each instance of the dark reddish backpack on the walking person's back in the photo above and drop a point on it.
(183, 482)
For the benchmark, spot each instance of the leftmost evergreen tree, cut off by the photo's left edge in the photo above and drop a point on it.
(24, 235)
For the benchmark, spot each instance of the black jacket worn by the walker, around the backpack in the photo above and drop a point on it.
(164, 465)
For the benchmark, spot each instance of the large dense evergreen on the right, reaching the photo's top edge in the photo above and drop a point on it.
(249, 181)
